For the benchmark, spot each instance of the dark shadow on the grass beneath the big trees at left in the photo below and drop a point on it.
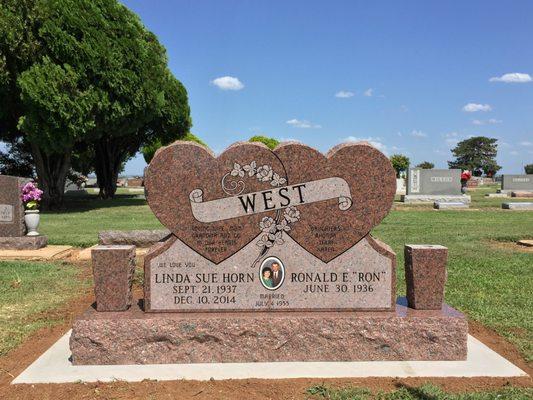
(81, 203)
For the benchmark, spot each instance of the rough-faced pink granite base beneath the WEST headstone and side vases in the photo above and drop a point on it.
(135, 337)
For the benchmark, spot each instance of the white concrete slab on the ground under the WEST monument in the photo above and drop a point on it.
(54, 367)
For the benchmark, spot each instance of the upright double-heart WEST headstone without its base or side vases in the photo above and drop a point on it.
(263, 230)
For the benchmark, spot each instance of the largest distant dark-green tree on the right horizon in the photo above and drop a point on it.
(477, 154)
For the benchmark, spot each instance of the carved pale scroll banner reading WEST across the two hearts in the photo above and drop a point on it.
(268, 200)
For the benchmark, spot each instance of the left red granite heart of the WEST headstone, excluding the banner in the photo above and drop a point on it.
(182, 168)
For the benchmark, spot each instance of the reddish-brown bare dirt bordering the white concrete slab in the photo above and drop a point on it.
(251, 389)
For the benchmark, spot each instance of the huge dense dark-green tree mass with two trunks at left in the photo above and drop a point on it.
(90, 78)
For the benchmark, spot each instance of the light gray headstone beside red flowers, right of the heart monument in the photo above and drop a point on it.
(434, 181)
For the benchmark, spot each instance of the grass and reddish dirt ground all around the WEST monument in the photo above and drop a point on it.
(490, 278)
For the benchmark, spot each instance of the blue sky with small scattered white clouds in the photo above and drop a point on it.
(413, 77)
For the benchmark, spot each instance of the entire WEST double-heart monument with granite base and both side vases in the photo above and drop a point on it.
(270, 258)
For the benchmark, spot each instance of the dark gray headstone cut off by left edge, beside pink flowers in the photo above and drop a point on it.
(11, 207)
